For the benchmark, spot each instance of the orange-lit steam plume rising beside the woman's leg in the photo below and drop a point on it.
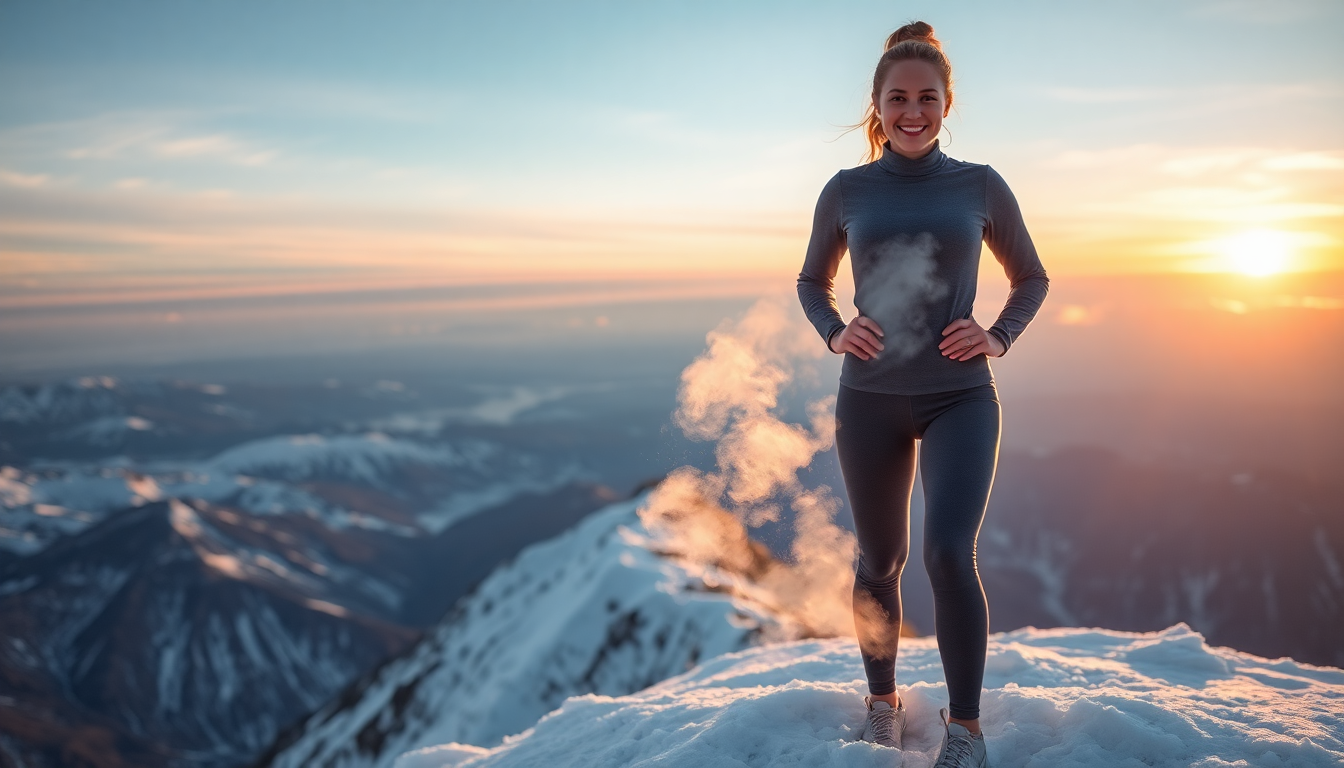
(730, 395)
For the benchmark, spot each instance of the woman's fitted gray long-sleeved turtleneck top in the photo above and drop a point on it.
(913, 231)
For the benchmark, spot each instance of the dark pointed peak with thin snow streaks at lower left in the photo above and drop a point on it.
(190, 626)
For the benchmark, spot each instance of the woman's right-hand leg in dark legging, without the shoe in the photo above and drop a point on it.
(959, 457)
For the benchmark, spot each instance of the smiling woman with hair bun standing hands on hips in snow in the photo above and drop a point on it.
(917, 368)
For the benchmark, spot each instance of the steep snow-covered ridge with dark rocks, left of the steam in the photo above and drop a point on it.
(597, 610)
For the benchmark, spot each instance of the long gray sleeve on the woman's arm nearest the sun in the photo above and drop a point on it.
(1007, 237)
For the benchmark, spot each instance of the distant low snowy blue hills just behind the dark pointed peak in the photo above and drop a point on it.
(428, 488)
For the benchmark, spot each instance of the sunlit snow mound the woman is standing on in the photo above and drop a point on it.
(1054, 699)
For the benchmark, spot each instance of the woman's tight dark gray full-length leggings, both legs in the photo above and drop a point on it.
(876, 439)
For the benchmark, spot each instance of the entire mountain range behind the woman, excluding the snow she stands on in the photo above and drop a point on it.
(193, 575)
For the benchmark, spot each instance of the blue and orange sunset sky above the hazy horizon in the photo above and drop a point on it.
(167, 150)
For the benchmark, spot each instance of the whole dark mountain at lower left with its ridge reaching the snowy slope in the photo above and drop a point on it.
(198, 631)
